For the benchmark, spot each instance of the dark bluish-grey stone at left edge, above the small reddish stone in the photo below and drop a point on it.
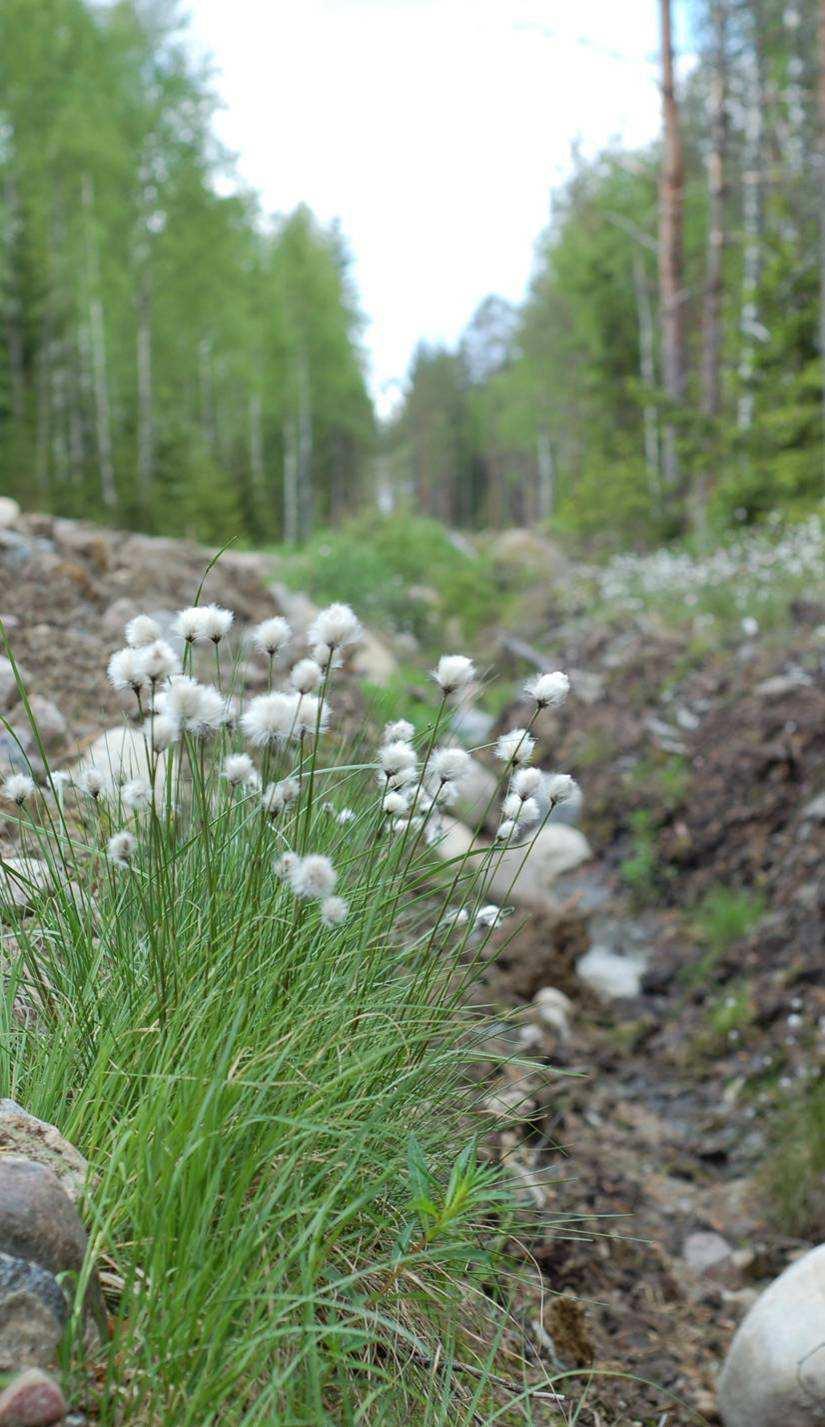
(34, 1315)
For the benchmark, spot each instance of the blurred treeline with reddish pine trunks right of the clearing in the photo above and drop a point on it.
(666, 370)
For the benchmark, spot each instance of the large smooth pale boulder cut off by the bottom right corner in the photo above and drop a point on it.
(774, 1375)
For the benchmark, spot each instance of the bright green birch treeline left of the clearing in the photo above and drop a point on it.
(168, 359)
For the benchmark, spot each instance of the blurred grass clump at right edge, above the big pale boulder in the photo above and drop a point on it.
(794, 1172)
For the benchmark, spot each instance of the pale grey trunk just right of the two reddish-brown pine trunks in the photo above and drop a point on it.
(750, 329)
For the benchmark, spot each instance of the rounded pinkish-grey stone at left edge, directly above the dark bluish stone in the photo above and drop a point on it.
(38, 1219)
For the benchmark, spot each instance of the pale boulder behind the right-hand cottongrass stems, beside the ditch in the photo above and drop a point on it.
(525, 875)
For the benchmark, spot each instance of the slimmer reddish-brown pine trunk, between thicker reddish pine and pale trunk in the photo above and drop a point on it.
(714, 278)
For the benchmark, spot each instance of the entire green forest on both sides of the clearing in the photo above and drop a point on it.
(172, 357)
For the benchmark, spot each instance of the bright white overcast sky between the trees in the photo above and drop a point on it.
(433, 129)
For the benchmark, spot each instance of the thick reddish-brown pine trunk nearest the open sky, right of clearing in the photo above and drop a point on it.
(672, 252)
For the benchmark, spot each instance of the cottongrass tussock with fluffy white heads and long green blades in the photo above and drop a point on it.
(238, 988)
